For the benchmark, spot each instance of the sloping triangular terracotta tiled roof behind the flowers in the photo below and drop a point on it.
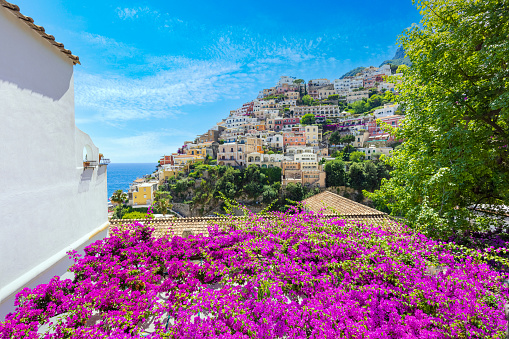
(329, 203)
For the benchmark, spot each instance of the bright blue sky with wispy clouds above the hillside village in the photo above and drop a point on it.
(157, 73)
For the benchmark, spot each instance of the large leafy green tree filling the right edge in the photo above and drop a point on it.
(456, 130)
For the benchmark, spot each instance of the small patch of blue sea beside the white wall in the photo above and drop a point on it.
(120, 175)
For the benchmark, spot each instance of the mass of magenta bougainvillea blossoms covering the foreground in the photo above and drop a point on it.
(298, 275)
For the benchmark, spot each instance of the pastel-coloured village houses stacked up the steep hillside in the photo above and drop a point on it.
(267, 131)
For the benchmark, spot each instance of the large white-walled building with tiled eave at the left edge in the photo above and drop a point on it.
(52, 201)
